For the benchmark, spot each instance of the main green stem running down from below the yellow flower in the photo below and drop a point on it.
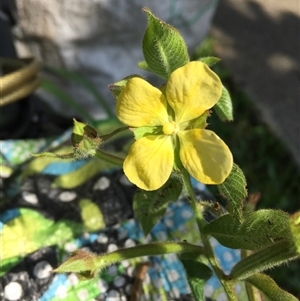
(228, 287)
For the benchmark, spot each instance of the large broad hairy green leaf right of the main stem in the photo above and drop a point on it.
(259, 230)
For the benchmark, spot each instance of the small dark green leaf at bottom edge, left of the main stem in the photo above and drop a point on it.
(197, 275)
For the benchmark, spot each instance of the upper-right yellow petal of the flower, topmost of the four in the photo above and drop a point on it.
(191, 90)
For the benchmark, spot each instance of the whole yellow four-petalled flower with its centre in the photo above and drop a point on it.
(170, 119)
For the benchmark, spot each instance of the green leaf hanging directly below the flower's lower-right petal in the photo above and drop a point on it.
(234, 190)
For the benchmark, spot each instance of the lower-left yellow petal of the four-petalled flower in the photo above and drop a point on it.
(150, 161)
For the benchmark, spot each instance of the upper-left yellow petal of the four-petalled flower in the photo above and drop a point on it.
(141, 104)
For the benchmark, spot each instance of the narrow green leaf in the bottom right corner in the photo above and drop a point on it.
(269, 288)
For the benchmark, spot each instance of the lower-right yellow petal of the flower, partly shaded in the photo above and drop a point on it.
(205, 156)
